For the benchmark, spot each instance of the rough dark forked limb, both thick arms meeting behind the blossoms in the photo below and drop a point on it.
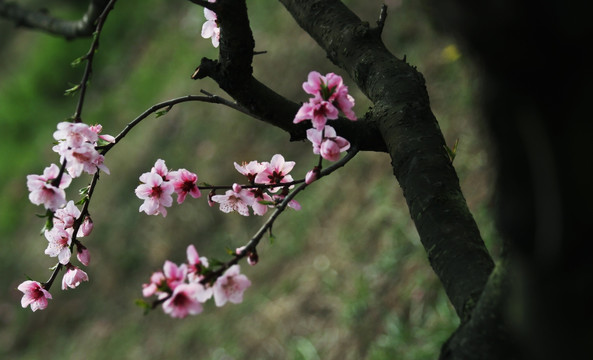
(400, 123)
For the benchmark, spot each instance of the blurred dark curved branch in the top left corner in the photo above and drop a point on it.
(41, 20)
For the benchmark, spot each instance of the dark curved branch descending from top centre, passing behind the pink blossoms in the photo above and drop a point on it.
(233, 73)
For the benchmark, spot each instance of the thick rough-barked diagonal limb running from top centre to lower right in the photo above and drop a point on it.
(414, 141)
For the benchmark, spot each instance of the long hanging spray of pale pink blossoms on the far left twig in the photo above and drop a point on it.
(77, 149)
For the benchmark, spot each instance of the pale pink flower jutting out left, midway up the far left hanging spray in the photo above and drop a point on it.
(43, 192)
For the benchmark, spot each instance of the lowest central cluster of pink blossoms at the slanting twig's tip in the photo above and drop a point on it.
(181, 292)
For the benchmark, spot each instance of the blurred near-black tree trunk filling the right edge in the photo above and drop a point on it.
(536, 95)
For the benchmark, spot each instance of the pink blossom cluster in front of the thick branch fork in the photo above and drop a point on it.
(330, 96)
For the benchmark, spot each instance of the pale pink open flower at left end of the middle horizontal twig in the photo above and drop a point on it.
(156, 194)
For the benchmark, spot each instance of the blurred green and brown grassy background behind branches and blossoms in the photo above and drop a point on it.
(346, 277)
